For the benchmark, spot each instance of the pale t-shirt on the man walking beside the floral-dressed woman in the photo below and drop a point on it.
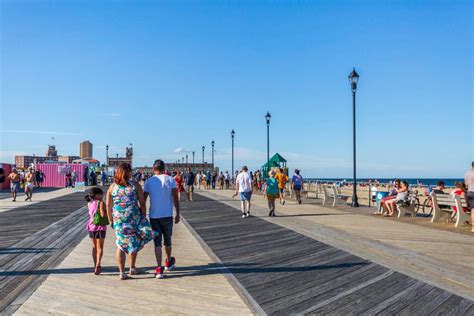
(161, 199)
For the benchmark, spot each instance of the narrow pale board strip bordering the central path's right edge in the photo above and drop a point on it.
(238, 287)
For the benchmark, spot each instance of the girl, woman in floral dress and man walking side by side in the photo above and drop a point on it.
(125, 211)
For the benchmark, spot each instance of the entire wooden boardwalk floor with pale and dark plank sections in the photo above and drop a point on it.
(227, 265)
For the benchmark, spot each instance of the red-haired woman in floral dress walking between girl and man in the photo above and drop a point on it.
(127, 212)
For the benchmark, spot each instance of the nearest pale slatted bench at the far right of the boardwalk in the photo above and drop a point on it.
(443, 203)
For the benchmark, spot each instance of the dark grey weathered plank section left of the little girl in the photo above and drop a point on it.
(34, 238)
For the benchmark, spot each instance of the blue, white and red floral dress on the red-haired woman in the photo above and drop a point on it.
(132, 229)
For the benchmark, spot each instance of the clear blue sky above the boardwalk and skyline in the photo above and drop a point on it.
(178, 74)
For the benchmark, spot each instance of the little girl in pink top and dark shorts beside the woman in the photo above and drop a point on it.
(96, 232)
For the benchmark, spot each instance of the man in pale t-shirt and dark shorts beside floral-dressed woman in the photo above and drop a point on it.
(163, 195)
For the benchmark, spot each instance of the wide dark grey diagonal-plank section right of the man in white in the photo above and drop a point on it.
(286, 272)
